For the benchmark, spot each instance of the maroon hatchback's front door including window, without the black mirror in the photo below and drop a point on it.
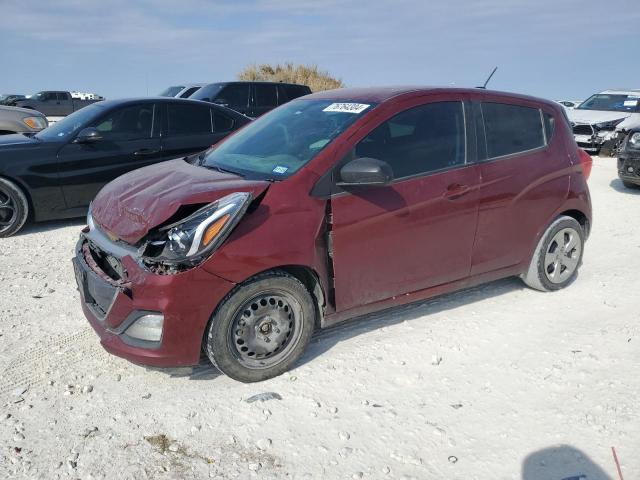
(417, 232)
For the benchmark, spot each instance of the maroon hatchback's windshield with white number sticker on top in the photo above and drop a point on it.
(281, 142)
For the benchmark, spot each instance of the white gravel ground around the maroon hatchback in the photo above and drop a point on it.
(496, 382)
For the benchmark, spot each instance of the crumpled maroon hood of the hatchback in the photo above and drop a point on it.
(130, 206)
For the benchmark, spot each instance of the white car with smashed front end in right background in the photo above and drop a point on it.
(602, 121)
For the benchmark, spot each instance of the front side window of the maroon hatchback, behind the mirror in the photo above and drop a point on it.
(419, 140)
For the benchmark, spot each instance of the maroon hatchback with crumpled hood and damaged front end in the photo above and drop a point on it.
(331, 206)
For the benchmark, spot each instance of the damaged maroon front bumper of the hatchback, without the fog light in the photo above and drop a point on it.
(186, 301)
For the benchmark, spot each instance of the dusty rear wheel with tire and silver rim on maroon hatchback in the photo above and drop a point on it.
(557, 256)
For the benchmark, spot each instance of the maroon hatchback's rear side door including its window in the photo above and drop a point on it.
(523, 181)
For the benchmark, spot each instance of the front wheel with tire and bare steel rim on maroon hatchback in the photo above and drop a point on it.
(261, 328)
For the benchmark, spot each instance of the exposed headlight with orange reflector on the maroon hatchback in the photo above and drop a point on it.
(192, 239)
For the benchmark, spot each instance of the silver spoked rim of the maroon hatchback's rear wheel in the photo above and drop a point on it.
(562, 255)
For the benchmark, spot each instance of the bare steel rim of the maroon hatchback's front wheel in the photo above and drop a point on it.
(265, 329)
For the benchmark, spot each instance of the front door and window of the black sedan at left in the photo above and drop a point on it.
(129, 142)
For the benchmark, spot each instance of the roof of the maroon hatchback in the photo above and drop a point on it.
(383, 94)
